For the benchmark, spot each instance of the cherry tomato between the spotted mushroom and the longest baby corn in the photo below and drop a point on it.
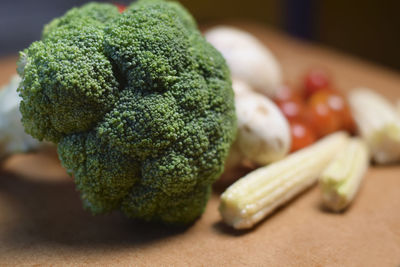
(302, 135)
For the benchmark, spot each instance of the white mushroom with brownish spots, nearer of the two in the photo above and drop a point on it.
(263, 132)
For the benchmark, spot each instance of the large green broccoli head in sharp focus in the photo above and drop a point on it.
(140, 105)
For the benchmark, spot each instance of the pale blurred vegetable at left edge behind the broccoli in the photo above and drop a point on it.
(13, 138)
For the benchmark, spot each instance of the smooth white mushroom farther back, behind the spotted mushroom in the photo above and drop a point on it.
(248, 58)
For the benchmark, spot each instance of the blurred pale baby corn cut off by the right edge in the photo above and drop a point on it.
(378, 123)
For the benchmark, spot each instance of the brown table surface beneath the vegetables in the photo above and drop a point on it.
(42, 221)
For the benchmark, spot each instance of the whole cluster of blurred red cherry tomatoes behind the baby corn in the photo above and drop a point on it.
(315, 109)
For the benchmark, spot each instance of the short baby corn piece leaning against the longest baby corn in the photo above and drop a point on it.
(342, 178)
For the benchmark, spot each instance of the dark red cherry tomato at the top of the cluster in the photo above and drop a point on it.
(315, 80)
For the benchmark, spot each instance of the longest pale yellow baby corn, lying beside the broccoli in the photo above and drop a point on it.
(257, 194)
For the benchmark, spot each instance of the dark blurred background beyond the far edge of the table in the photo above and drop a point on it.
(368, 29)
